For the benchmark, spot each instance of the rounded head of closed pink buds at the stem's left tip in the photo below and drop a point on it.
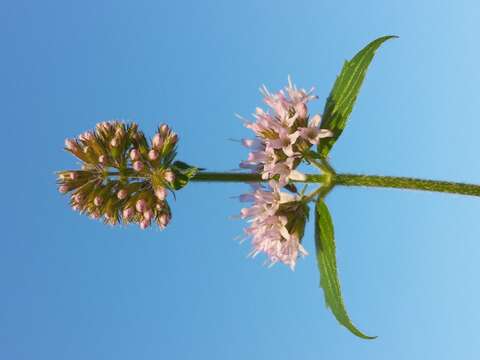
(124, 178)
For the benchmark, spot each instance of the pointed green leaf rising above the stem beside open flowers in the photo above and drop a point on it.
(340, 102)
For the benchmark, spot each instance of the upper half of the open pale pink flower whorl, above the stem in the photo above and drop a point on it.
(284, 136)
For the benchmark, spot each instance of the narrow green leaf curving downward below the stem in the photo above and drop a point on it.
(327, 265)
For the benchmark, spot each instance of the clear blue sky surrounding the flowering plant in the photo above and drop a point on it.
(72, 288)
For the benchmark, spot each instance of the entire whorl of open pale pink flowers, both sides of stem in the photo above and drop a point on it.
(284, 136)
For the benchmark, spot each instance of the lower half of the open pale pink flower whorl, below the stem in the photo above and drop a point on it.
(277, 224)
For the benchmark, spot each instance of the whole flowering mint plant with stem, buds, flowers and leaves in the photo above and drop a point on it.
(126, 178)
